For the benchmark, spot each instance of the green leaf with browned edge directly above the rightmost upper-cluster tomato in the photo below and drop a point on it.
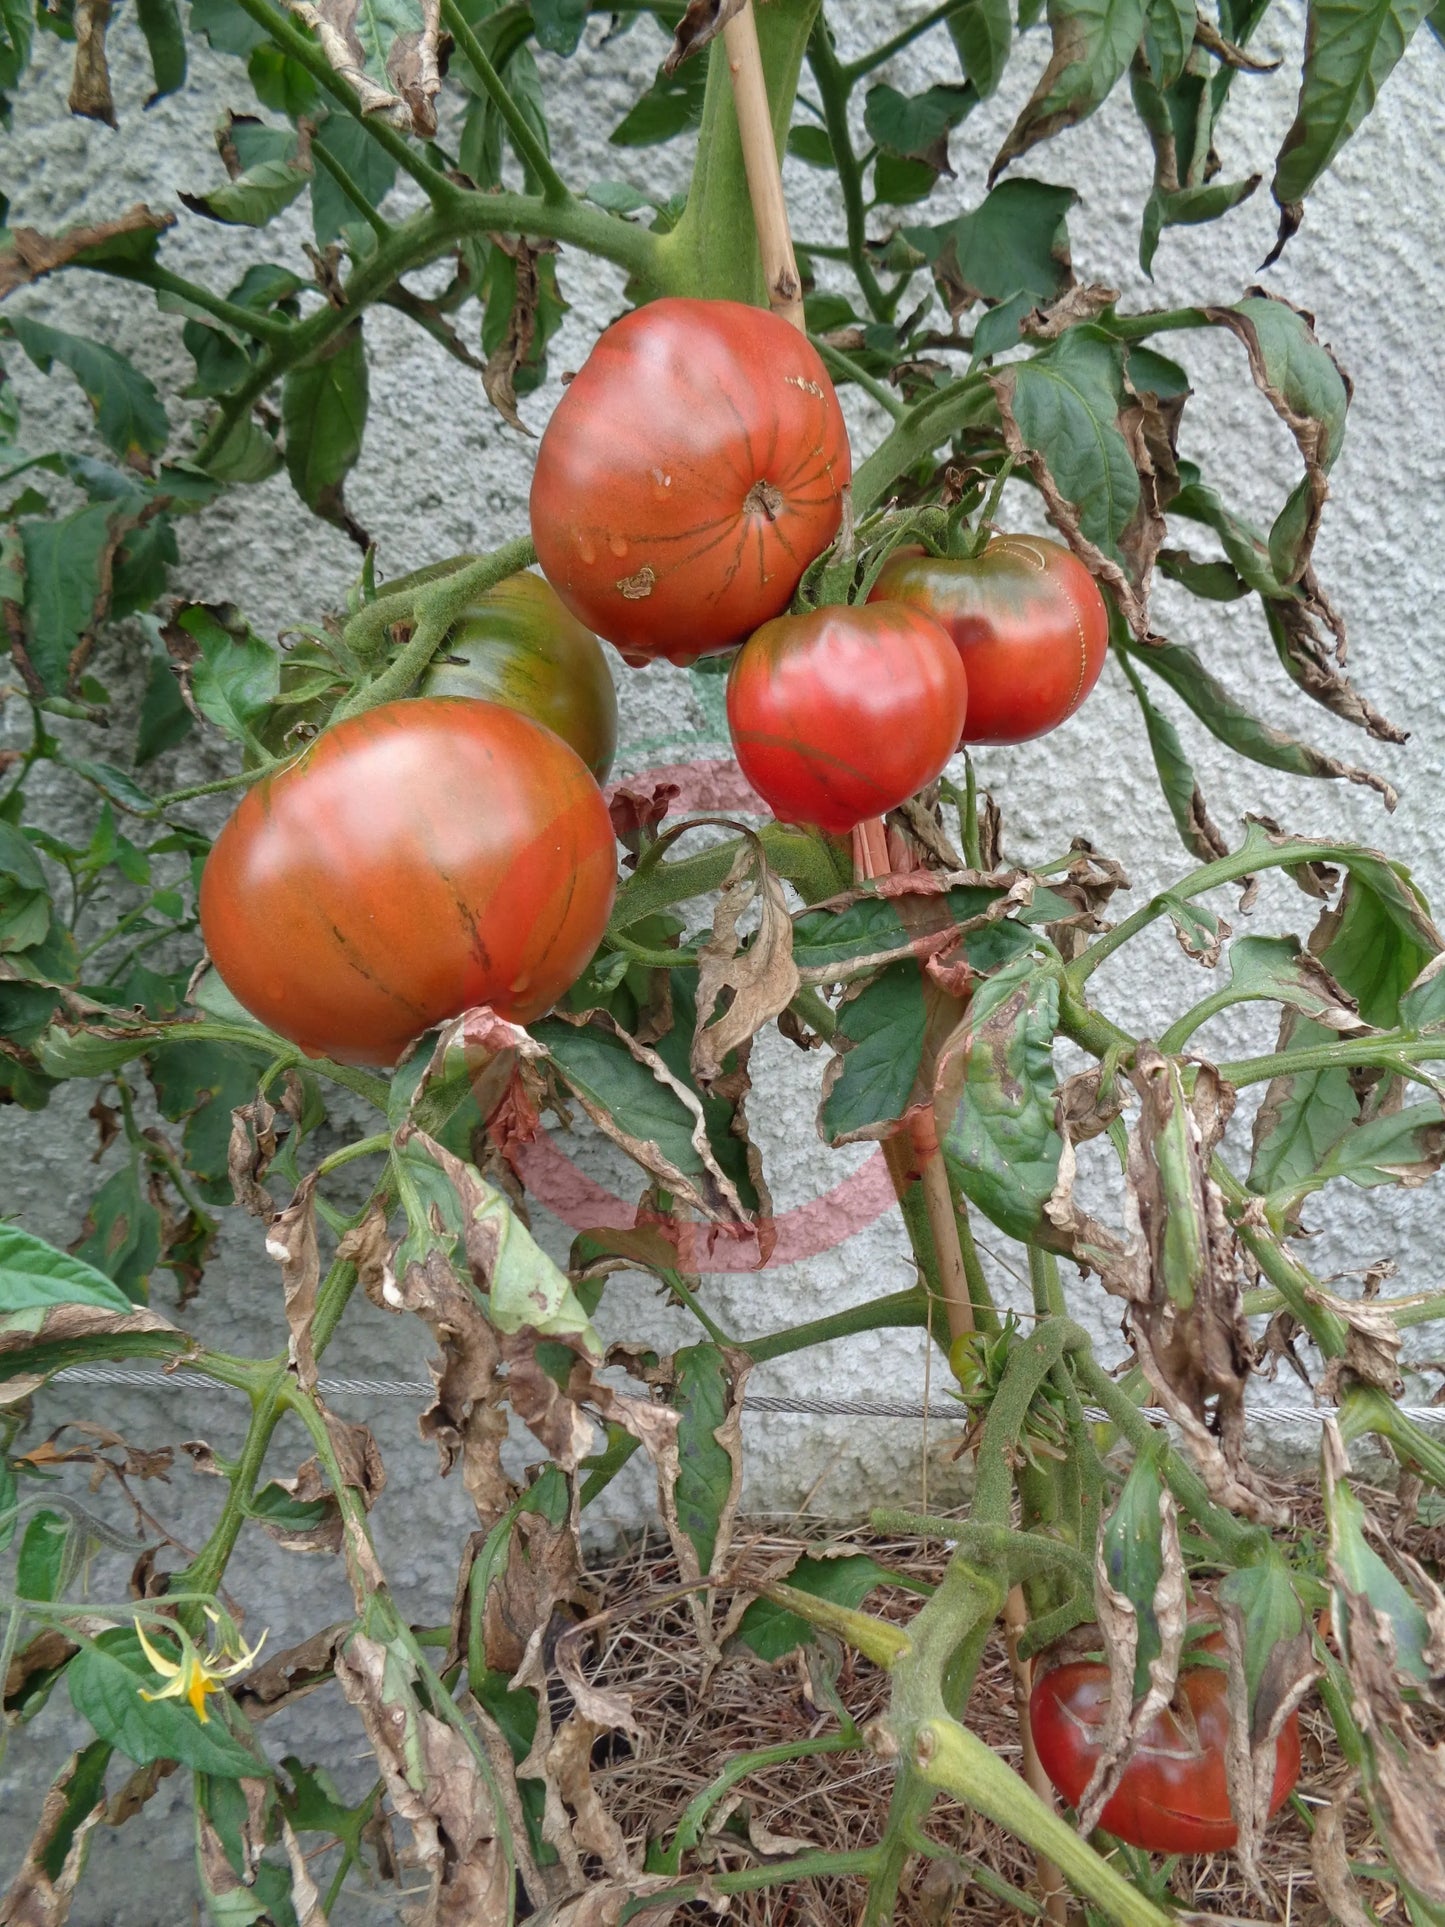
(1066, 404)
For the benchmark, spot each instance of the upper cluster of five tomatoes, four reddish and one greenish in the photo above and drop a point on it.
(456, 849)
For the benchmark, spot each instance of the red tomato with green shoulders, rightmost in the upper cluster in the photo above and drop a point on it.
(1030, 625)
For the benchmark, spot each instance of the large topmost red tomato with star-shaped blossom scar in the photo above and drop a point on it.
(689, 477)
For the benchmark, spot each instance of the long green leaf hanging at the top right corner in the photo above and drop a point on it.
(1350, 53)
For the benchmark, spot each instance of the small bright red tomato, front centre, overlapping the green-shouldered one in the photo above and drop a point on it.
(843, 714)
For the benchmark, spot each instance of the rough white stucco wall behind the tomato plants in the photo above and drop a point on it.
(442, 473)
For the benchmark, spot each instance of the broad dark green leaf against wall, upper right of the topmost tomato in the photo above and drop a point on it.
(1016, 242)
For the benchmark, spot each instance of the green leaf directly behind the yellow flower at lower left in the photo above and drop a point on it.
(105, 1687)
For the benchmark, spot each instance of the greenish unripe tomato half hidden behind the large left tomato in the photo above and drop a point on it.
(519, 647)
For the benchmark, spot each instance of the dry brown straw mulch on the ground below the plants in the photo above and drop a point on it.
(695, 1720)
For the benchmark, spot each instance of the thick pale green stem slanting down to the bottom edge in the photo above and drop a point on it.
(959, 1762)
